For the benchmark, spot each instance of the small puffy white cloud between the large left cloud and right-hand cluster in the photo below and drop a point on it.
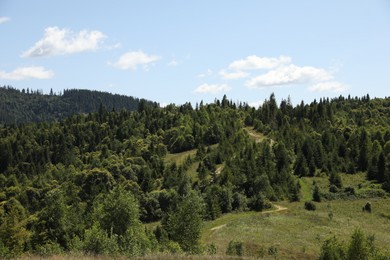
(131, 60)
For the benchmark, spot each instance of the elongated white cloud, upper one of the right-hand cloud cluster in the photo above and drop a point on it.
(255, 62)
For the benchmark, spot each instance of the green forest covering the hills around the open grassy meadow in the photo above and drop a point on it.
(136, 179)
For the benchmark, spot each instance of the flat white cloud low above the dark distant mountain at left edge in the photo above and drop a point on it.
(34, 72)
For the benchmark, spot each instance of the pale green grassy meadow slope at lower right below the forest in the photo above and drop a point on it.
(298, 233)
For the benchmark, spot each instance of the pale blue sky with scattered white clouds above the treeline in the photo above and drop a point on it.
(179, 51)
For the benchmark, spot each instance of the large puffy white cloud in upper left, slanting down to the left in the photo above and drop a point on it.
(58, 41)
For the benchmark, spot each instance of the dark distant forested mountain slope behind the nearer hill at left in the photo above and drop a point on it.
(20, 106)
